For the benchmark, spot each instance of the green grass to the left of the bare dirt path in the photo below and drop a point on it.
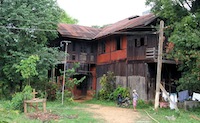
(70, 113)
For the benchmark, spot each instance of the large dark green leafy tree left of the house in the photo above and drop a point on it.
(26, 26)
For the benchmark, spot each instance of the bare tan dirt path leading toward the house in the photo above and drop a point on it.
(116, 114)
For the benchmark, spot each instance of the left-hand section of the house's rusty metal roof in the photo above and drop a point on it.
(77, 31)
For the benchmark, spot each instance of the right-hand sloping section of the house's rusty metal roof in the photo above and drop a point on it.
(128, 23)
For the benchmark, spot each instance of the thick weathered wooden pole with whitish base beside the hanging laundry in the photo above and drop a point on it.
(159, 64)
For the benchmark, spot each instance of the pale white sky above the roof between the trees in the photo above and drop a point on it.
(102, 12)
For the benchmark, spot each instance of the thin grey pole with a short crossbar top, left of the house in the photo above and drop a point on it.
(63, 83)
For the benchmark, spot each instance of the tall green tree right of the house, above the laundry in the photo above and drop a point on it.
(183, 18)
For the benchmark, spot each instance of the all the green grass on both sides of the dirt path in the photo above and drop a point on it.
(76, 109)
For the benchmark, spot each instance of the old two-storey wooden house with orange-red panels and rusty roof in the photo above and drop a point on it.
(128, 48)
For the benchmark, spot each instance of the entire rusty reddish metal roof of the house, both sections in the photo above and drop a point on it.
(89, 33)
